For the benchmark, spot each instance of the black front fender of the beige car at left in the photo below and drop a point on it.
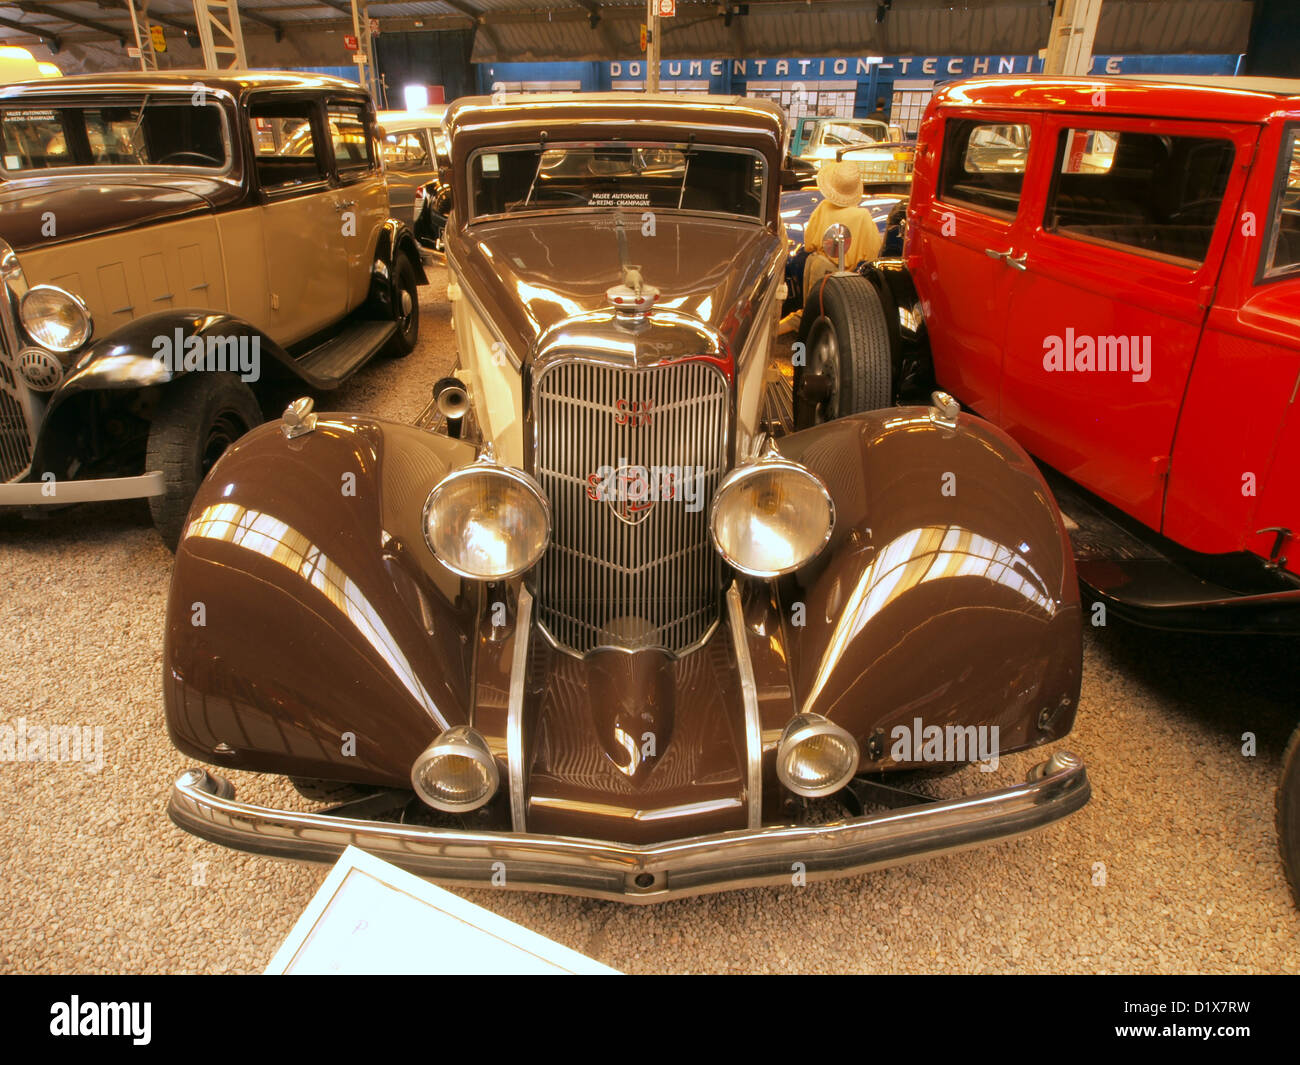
(137, 358)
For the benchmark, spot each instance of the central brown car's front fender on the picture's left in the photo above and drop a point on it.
(310, 630)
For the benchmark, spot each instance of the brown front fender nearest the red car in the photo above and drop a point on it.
(948, 591)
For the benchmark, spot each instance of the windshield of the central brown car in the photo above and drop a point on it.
(660, 177)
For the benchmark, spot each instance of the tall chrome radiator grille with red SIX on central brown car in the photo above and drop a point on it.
(625, 572)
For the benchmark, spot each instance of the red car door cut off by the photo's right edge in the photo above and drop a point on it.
(1236, 474)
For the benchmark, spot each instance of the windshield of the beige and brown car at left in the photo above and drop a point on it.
(135, 132)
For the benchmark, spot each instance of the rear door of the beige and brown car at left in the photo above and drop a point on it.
(362, 202)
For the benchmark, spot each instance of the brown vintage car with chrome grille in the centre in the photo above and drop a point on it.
(617, 633)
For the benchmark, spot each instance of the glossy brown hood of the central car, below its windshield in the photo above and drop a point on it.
(534, 274)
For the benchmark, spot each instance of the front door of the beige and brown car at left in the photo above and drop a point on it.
(306, 266)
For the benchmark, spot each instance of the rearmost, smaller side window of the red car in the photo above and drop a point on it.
(983, 164)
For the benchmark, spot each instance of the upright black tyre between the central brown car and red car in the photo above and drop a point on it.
(847, 340)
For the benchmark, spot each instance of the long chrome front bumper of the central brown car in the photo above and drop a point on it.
(205, 804)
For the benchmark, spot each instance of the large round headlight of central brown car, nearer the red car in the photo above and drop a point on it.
(772, 517)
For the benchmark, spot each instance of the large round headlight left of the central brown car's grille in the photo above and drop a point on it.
(488, 522)
